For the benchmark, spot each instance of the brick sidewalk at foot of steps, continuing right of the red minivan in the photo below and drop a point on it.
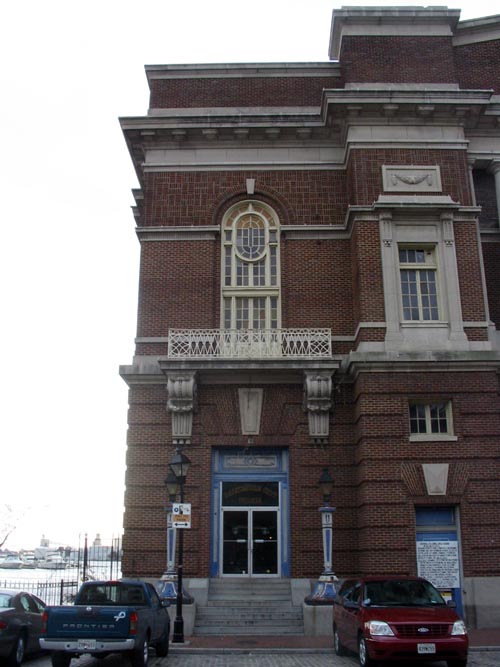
(480, 640)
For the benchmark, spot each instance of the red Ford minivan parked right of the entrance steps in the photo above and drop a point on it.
(397, 618)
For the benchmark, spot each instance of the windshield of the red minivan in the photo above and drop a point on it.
(402, 593)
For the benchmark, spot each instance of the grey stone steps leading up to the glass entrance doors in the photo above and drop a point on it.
(249, 607)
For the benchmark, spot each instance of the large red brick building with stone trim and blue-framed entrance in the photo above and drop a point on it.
(320, 288)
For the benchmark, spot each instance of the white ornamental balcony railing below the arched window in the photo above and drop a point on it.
(282, 344)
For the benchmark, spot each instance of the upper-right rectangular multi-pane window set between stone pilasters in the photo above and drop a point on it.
(419, 292)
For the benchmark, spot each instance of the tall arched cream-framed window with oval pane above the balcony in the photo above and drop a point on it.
(250, 267)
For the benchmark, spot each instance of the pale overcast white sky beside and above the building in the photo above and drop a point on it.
(69, 254)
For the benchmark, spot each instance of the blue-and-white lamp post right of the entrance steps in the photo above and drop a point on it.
(324, 591)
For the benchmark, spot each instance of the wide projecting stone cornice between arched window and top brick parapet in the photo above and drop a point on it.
(309, 137)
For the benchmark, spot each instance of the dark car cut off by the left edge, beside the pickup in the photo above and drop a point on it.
(20, 625)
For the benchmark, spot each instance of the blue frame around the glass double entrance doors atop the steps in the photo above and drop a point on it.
(249, 465)
